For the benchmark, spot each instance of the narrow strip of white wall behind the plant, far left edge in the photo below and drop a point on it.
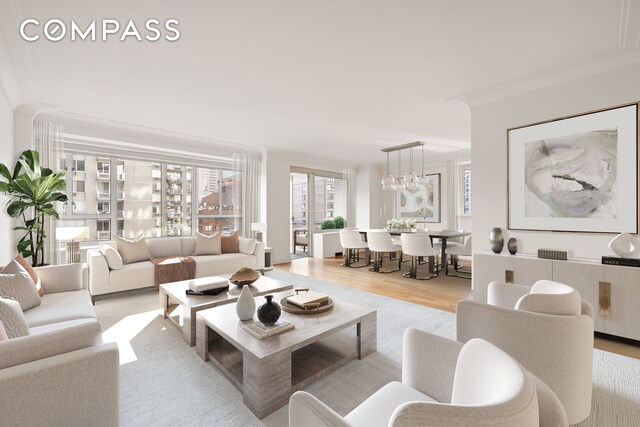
(7, 247)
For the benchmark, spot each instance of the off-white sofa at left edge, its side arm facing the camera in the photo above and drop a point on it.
(60, 374)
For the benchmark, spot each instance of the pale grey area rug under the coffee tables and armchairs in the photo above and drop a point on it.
(165, 383)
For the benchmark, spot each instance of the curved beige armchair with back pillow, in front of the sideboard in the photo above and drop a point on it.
(547, 328)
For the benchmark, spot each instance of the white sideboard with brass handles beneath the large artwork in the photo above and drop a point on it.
(612, 290)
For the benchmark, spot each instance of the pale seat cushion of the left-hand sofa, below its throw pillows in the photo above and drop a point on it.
(60, 307)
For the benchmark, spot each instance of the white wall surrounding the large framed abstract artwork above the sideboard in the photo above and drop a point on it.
(489, 123)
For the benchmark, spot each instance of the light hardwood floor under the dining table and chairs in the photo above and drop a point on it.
(442, 293)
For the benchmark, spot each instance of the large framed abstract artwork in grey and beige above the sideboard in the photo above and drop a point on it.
(578, 173)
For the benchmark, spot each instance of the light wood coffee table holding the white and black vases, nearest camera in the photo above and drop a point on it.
(268, 371)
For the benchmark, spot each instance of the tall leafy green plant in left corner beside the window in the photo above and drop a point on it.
(33, 191)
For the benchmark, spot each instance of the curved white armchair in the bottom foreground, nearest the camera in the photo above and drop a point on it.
(443, 384)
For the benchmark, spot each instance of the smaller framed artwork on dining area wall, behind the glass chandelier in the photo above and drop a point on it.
(422, 204)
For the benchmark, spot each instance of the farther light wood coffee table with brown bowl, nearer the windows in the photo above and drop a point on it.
(181, 308)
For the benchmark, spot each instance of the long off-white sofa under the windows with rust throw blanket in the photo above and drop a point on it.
(104, 280)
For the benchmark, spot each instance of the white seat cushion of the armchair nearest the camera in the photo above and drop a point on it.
(377, 409)
